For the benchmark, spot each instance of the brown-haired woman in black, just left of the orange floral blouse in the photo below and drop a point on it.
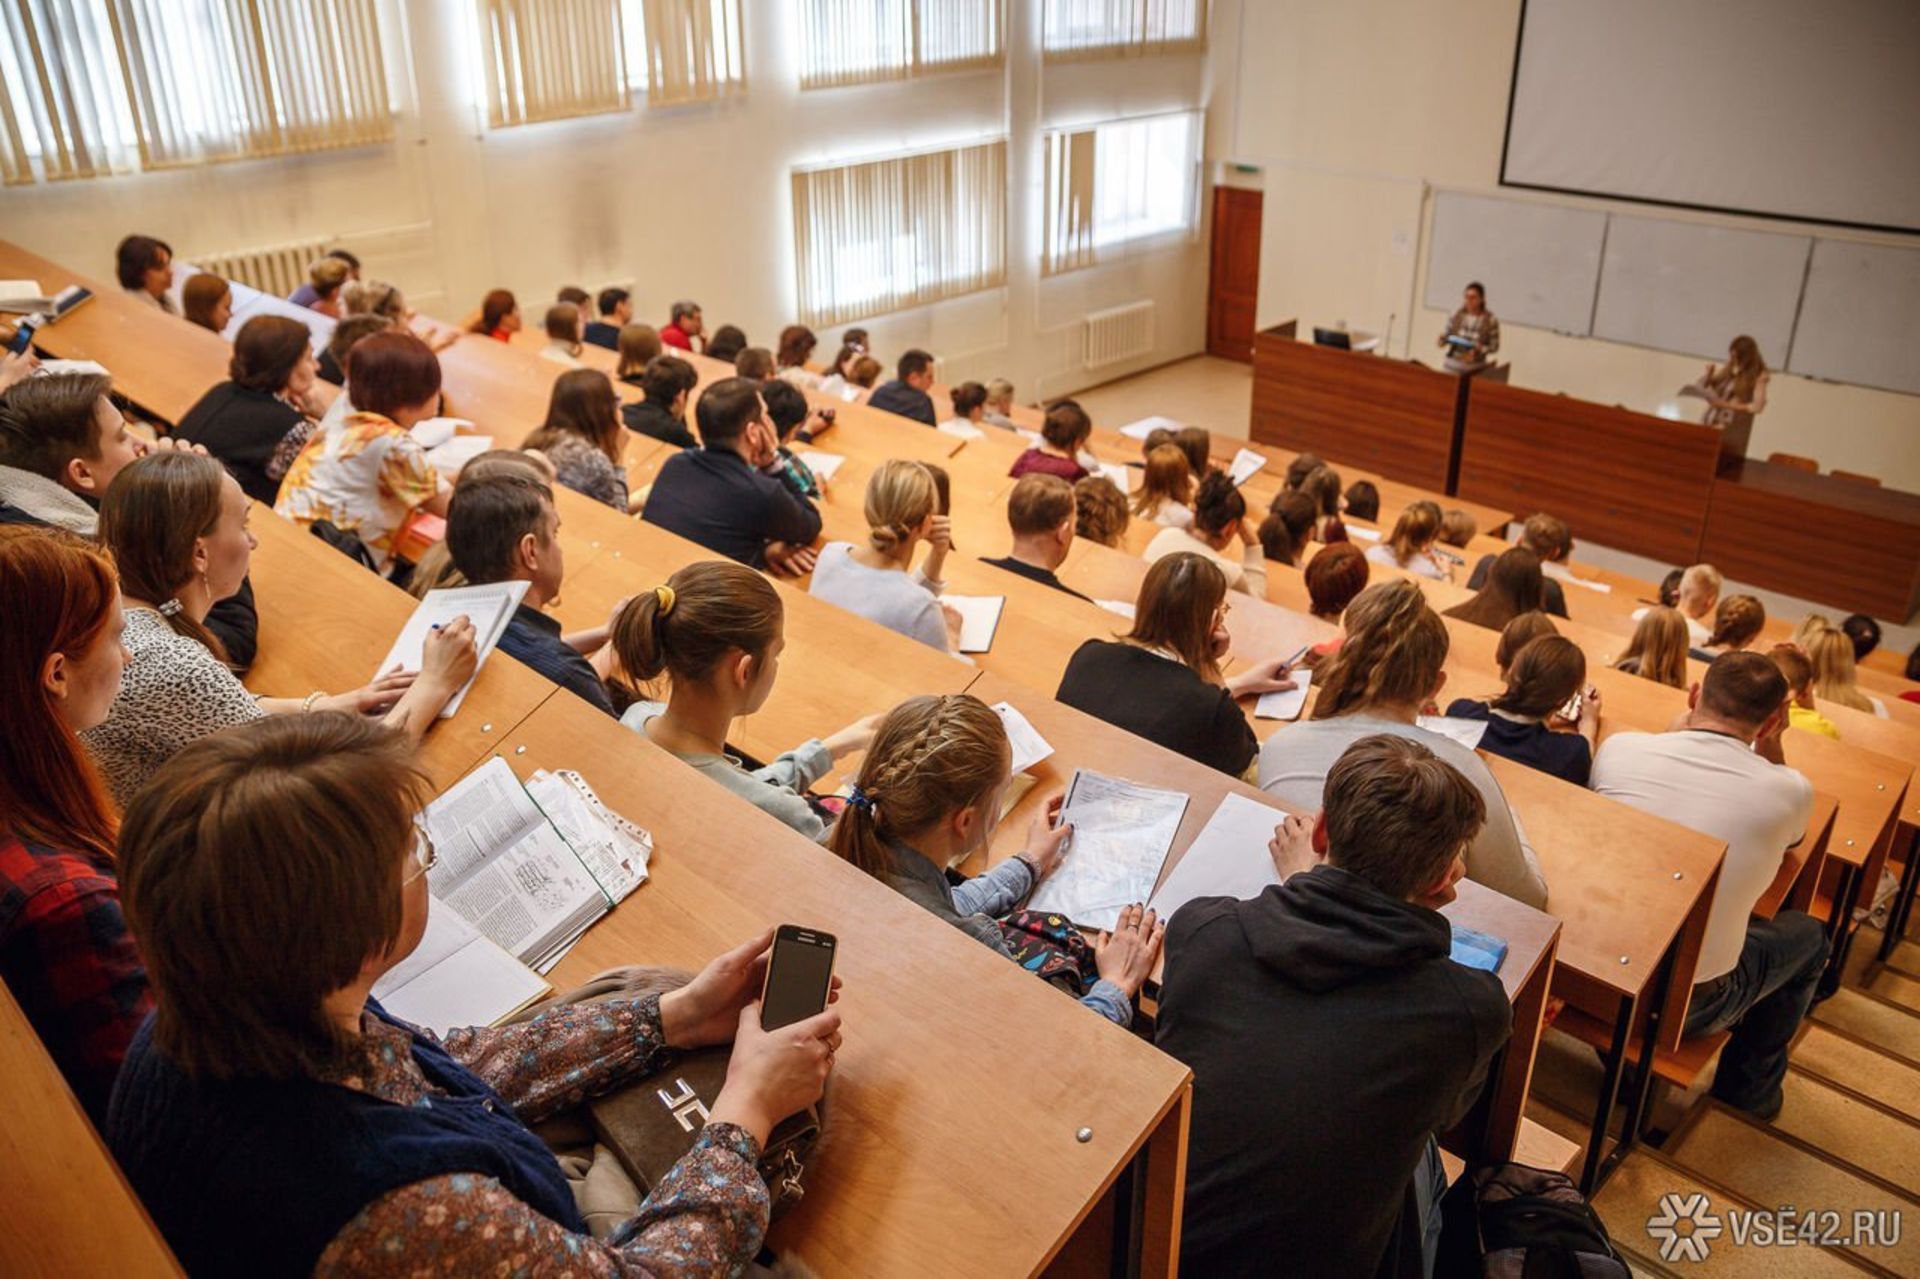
(266, 412)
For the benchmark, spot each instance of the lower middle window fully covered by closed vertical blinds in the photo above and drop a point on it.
(900, 233)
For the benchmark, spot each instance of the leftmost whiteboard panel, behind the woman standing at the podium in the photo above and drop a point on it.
(1541, 262)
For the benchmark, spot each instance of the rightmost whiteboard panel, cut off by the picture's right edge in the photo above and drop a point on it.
(1861, 316)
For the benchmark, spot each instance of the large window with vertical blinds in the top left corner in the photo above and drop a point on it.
(89, 84)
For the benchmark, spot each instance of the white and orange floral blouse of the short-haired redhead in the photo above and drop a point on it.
(366, 475)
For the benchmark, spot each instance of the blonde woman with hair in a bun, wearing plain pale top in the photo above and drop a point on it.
(878, 581)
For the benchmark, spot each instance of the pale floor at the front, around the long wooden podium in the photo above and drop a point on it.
(1220, 395)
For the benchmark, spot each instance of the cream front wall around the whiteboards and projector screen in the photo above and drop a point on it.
(1358, 112)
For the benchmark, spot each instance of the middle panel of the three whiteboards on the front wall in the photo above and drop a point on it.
(1692, 289)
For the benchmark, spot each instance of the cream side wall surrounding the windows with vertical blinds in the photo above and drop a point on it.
(686, 203)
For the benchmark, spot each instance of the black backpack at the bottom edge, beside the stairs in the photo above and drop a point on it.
(1518, 1222)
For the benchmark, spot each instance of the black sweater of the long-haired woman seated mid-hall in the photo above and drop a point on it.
(1161, 700)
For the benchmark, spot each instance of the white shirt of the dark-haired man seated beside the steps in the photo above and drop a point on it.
(1717, 786)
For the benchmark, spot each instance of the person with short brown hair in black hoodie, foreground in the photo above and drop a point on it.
(1330, 1032)
